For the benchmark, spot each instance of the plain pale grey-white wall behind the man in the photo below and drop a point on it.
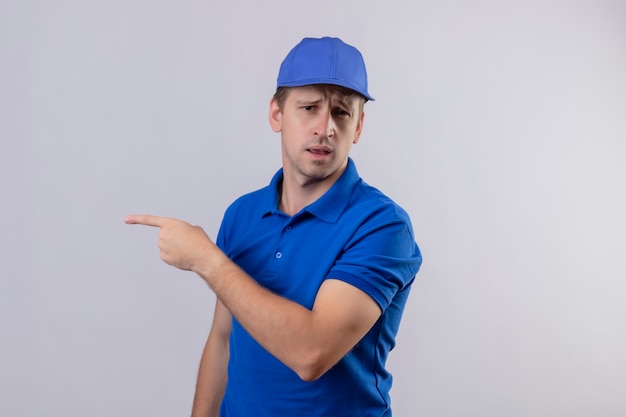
(500, 126)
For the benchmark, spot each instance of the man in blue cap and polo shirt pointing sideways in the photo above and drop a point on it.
(311, 273)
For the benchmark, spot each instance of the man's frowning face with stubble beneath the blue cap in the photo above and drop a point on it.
(318, 127)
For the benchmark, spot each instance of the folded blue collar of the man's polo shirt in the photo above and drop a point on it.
(329, 206)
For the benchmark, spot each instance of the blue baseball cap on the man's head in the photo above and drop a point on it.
(324, 61)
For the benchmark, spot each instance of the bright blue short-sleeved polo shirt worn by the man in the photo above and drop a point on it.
(353, 233)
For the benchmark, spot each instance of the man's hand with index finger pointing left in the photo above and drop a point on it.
(182, 245)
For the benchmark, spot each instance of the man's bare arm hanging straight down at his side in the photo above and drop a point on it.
(213, 375)
